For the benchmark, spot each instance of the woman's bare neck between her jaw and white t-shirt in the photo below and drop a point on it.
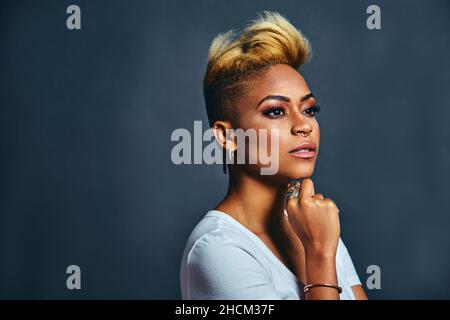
(253, 201)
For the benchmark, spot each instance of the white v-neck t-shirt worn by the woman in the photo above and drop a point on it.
(225, 260)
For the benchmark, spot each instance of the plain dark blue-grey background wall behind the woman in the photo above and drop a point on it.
(86, 116)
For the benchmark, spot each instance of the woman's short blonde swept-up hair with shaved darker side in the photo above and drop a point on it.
(235, 58)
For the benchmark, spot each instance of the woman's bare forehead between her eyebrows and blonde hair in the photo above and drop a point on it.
(280, 79)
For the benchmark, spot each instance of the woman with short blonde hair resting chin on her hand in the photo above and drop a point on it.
(270, 237)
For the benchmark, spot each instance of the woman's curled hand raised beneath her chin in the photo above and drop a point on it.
(315, 220)
